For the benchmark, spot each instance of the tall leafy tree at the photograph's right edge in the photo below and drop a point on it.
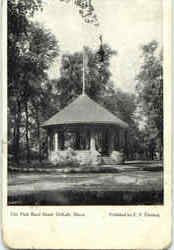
(150, 93)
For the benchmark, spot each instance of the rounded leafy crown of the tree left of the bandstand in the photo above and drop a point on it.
(34, 58)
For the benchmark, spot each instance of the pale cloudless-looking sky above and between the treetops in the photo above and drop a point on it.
(125, 25)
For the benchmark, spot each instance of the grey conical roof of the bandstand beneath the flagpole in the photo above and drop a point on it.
(84, 111)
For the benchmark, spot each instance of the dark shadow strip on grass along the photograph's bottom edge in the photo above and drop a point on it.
(86, 197)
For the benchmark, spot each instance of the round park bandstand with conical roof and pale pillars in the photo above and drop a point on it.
(85, 126)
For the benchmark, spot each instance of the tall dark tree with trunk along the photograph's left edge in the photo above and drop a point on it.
(18, 13)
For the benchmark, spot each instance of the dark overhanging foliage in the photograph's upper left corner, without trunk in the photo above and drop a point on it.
(18, 23)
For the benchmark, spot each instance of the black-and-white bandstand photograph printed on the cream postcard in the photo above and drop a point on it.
(85, 102)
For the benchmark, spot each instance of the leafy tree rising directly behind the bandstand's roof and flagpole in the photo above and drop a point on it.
(97, 75)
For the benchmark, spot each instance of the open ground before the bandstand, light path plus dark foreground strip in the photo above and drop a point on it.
(128, 184)
